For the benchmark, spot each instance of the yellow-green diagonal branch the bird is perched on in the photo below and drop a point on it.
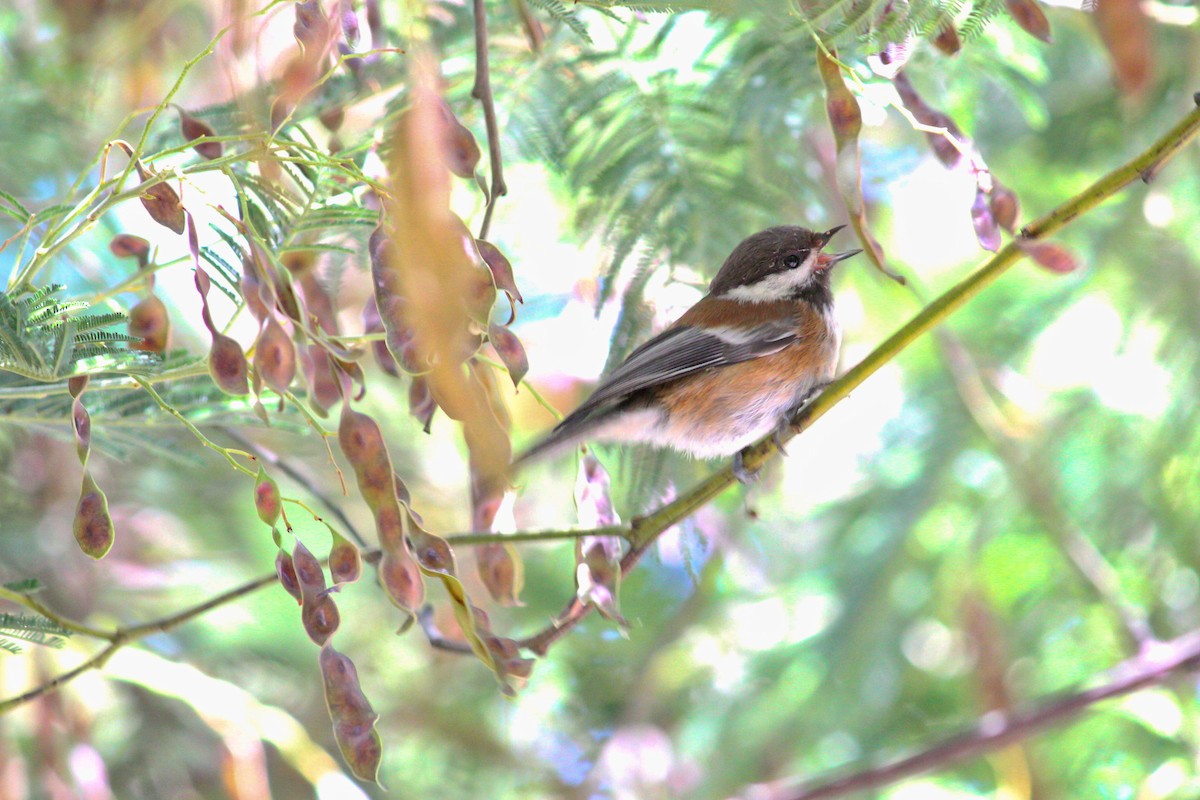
(646, 531)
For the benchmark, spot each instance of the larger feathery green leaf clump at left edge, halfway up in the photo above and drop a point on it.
(45, 339)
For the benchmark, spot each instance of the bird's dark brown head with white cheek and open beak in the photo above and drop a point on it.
(779, 263)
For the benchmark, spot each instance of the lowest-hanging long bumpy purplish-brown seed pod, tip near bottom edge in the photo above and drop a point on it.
(351, 714)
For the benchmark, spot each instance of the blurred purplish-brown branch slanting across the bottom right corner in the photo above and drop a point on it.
(995, 731)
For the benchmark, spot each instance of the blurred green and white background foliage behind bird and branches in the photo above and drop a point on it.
(923, 557)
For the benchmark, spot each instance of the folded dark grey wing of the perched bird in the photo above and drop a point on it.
(685, 351)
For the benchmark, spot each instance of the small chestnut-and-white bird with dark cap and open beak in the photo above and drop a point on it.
(734, 369)
